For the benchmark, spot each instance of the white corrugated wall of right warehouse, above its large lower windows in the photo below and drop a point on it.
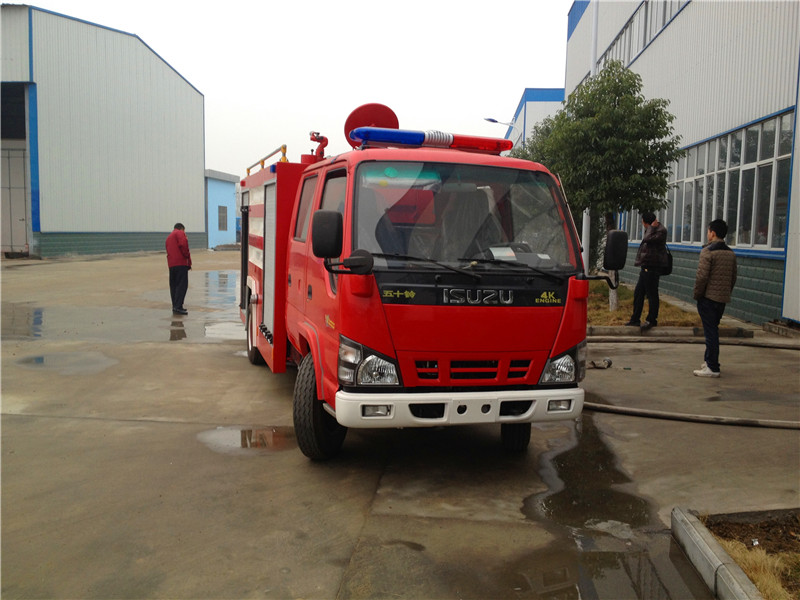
(723, 65)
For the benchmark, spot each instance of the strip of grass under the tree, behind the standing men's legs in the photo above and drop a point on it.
(599, 315)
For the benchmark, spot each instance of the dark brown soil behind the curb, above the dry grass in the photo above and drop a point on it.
(776, 532)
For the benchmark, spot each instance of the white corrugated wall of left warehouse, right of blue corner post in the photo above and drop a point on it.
(120, 133)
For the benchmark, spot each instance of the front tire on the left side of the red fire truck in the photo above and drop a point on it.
(319, 435)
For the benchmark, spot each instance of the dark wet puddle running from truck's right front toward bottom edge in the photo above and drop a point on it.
(610, 544)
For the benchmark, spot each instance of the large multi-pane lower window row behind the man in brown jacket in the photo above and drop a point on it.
(742, 177)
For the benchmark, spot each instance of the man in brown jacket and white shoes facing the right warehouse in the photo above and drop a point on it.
(716, 276)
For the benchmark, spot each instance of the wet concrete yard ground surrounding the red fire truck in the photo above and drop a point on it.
(144, 457)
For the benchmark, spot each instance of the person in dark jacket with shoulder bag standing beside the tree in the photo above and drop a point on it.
(652, 258)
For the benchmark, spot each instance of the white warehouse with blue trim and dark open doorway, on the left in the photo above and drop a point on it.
(102, 140)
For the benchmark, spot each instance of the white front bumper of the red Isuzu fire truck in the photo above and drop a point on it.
(455, 408)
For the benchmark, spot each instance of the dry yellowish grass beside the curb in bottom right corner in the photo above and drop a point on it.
(766, 571)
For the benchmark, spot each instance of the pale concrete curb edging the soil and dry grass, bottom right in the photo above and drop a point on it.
(722, 575)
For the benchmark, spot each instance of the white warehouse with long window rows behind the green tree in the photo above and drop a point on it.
(730, 73)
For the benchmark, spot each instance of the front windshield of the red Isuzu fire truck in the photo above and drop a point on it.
(452, 213)
